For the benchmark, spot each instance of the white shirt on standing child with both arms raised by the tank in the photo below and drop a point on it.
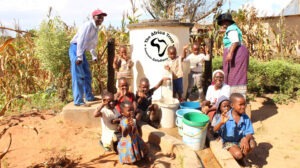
(196, 61)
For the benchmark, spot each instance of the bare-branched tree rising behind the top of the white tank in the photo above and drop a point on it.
(184, 10)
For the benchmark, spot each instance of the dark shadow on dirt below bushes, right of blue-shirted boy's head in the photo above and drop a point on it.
(268, 109)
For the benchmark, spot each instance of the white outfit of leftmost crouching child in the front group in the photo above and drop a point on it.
(107, 127)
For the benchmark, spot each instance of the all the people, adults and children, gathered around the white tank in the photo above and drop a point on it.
(122, 112)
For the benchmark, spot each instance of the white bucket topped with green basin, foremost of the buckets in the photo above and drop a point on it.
(195, 129)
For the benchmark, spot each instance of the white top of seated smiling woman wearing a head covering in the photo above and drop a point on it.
(212, 94)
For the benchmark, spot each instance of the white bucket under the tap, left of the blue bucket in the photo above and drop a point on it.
(168, 109)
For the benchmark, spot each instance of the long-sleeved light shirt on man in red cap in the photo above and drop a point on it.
(86, 39)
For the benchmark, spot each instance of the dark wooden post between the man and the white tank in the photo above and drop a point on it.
(110, 70)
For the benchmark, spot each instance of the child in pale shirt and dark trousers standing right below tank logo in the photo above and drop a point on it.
(173, 64)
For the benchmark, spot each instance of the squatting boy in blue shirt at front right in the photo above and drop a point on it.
(236, 129)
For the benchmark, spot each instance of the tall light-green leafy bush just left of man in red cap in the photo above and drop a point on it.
(52, 43)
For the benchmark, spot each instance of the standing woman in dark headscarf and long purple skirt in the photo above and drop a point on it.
(235, 56)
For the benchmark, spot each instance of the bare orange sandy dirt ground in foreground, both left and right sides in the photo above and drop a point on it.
(43, 139)
